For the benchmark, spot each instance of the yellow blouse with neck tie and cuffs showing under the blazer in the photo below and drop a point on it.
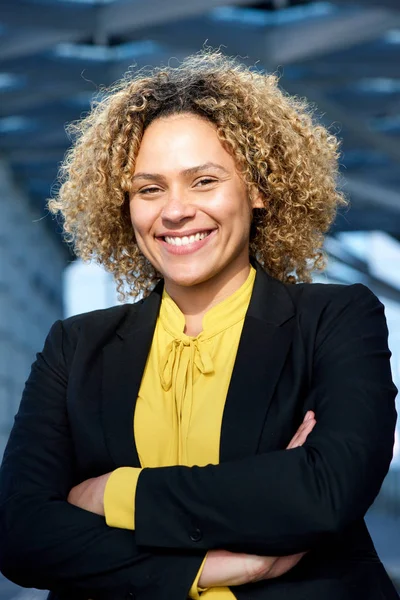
(180, 404)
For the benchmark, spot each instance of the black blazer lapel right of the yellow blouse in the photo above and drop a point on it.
(264, 344)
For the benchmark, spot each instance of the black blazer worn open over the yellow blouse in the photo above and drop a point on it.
(304, 346)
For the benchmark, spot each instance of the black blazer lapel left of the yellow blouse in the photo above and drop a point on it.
(124, 360)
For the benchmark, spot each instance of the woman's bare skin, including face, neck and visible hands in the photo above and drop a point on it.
(175, 190)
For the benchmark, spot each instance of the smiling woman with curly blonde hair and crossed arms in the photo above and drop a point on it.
(225, 435)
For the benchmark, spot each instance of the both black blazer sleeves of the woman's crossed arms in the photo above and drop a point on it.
(336, 473)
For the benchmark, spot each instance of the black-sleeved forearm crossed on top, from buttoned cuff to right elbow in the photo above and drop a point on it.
(278, 503)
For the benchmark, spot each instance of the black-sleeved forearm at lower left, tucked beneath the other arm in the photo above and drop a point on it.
(53, 545)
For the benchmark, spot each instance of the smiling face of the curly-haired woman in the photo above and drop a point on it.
(189, 206)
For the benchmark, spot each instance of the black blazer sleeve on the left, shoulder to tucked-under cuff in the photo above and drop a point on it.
(48, 543)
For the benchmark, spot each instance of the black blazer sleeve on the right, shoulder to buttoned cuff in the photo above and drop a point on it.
(286, 501)
